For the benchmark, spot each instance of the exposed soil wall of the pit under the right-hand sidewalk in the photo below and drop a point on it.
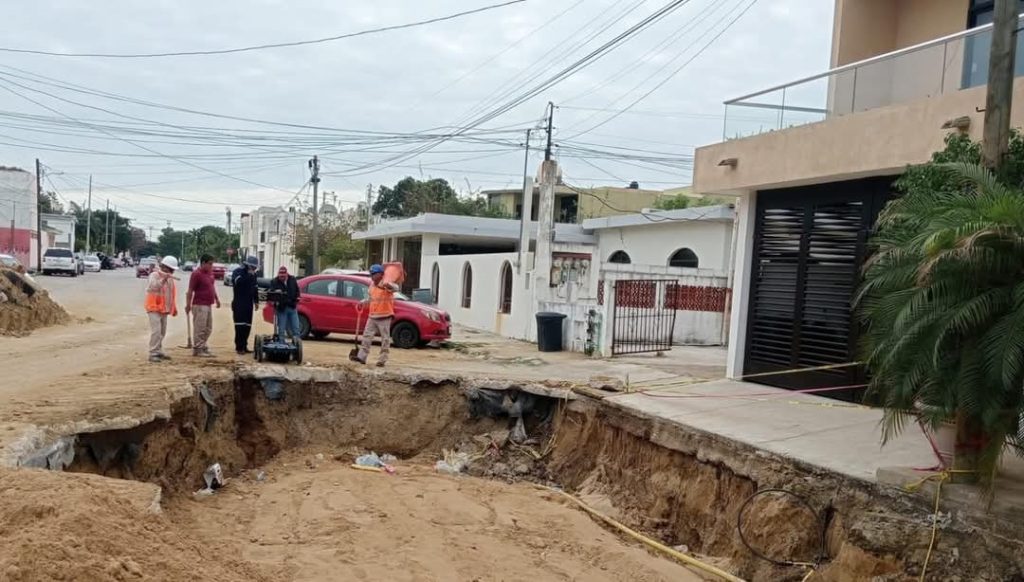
(688, 488)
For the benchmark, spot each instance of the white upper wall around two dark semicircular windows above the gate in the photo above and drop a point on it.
(654, 244)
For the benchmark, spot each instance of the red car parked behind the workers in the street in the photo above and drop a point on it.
(329, 304)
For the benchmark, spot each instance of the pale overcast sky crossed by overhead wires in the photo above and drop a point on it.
(376, 108)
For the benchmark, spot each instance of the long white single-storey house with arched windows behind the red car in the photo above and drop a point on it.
(673, 261)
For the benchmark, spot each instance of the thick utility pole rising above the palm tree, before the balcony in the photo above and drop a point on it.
(1000, 94)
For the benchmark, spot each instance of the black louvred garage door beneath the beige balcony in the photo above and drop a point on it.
(809, 246)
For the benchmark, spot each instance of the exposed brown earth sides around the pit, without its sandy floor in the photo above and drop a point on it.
(678, 486)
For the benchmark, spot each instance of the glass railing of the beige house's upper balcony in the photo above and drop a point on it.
(935, 68)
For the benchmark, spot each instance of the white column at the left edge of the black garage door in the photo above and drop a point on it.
(742, 285)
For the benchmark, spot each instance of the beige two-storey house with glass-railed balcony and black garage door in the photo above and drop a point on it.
(813, 162)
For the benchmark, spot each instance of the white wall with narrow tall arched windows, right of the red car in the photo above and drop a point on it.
(484, 311)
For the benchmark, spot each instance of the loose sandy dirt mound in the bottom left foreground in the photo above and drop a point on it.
(81, 527)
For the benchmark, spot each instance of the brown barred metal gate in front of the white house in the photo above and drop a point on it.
(641, 319)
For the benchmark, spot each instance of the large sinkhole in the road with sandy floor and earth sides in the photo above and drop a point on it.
(292, 495)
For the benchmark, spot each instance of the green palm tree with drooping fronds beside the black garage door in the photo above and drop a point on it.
(943, 305)
